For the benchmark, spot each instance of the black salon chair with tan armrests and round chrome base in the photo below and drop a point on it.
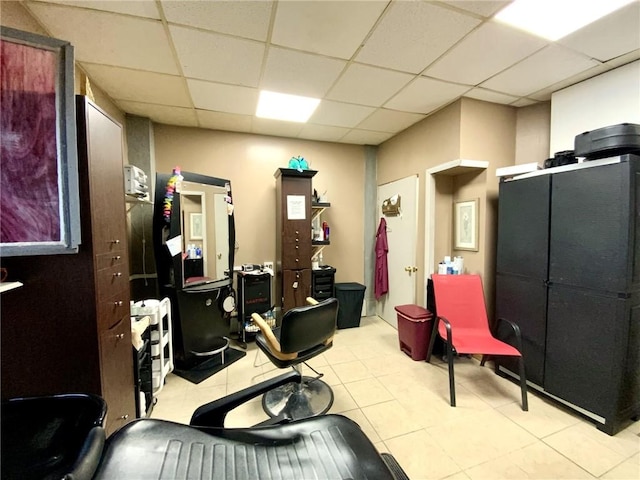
(304, 333)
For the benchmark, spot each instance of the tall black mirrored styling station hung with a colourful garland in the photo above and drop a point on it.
(194, 239)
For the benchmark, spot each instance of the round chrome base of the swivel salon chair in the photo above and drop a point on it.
(310, 398)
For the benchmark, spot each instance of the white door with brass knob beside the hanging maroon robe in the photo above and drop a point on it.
(401, 237)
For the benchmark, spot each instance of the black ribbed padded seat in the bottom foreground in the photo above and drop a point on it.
(327, 447)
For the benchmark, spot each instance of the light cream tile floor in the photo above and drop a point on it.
(403, 407)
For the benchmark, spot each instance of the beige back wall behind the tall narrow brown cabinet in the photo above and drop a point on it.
(250, 161)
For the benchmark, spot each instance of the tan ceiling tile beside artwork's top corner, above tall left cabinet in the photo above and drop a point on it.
(136, 85)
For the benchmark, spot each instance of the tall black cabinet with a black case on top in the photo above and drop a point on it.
(568, 273)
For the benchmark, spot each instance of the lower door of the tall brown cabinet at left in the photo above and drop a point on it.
(116, 372)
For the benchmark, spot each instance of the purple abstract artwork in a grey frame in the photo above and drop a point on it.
(39, 204)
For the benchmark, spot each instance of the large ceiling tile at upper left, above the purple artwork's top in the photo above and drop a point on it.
(109, 38)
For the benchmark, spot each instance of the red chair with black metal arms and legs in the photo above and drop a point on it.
(462, 323)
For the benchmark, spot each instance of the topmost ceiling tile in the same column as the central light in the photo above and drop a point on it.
(333, 28)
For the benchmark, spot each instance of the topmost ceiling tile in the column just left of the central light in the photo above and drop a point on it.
(245, 19)
